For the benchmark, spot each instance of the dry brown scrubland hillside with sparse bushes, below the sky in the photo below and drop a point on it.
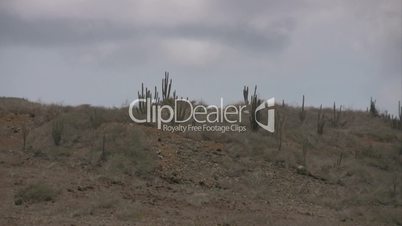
(63, 165)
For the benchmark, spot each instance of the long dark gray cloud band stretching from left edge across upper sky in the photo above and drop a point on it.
(44, 32)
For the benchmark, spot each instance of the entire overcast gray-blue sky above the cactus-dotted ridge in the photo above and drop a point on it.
(99, 51)
